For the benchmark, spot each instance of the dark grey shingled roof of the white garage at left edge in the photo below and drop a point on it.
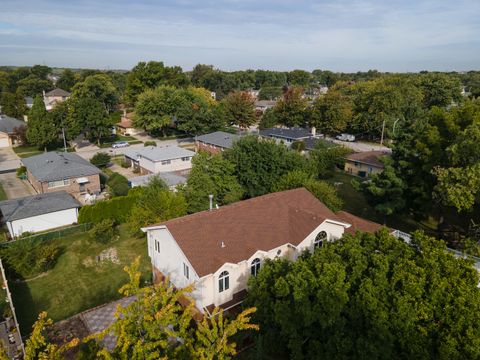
(34, 205)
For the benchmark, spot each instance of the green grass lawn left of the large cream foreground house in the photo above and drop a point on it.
(78, 282)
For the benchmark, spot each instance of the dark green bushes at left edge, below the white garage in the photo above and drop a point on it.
(27, 258)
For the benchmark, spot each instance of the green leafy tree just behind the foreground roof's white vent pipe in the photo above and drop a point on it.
(211, 175)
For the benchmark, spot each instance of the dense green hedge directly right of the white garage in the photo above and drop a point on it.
(116, 209)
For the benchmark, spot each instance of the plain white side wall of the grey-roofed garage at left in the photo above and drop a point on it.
(43, 222)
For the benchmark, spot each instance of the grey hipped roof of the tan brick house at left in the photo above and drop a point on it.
(53, 166)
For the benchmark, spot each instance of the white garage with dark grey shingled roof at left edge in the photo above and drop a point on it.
(39, 212)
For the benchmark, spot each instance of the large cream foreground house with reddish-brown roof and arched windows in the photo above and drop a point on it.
(218, 250)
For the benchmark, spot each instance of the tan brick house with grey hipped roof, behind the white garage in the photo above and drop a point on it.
(55, 171)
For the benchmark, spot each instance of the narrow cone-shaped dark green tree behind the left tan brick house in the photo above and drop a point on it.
(41, 130)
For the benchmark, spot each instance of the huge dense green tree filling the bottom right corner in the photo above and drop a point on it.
(368, 297)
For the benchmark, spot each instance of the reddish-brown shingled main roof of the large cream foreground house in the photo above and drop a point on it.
(261, 223)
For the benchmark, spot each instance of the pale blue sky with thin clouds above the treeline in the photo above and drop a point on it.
(337, 35)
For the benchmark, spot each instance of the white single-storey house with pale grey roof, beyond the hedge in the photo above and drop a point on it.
(153, 159)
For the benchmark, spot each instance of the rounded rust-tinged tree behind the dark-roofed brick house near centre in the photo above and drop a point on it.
(239, 109)
